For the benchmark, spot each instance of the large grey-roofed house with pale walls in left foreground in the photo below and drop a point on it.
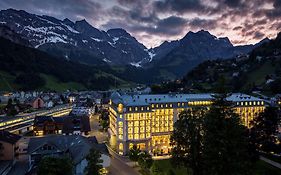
(75, 147)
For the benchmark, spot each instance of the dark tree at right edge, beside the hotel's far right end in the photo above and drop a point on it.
(264, 131)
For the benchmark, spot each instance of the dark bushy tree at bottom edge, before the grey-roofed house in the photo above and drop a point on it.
(55, 166)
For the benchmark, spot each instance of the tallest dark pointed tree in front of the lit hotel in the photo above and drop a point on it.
(225, 141)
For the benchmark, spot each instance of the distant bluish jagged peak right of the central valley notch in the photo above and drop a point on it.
(181, 56)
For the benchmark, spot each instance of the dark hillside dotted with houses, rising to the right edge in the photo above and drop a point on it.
(260, 70)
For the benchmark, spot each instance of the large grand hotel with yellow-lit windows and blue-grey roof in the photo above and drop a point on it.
(148, 120)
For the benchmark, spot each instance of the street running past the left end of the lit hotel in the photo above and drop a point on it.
(118, 164)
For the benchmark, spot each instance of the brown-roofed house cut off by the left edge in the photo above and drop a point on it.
(8, 145)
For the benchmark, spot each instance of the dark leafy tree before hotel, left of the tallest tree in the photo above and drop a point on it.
(187, 140)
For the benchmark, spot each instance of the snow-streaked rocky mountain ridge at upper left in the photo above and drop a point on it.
(77, 41)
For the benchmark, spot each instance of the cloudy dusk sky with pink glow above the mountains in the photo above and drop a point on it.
(154, 21)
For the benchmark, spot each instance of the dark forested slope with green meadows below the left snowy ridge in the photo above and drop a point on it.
(25, 68)
